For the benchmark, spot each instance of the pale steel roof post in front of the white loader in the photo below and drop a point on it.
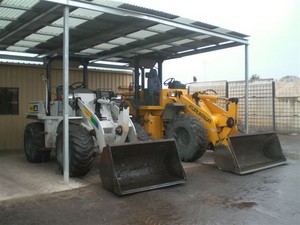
(66, 94)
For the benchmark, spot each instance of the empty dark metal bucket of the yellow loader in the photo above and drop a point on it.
(249, 153)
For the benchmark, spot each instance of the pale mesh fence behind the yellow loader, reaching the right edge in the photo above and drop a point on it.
(273, 105)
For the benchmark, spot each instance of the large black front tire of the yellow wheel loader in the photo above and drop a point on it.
(190, 135)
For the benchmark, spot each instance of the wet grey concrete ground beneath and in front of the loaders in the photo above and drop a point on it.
(36, 194)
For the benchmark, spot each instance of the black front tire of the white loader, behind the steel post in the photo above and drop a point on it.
(81, 154)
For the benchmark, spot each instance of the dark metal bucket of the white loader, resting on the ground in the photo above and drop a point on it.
(134, 167)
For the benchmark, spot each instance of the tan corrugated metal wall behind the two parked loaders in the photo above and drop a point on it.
(31, 87)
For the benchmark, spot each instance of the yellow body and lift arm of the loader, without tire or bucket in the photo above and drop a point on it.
(213, 116)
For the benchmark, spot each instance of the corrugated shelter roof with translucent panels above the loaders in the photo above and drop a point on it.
(106, 30)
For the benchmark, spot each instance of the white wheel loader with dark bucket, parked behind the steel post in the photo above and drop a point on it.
(99, 125)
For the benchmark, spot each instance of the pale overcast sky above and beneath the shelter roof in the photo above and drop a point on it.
(273, 27)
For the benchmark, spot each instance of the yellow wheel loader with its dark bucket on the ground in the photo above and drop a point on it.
(198, 123)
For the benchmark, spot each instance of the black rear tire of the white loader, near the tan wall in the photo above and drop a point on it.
(34, 143)
